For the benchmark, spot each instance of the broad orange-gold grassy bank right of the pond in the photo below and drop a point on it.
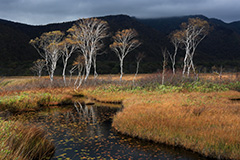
(202, 120)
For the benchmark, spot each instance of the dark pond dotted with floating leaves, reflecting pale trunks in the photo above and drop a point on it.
(84, 132)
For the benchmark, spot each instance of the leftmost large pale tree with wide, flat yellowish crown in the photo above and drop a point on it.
(48, 47)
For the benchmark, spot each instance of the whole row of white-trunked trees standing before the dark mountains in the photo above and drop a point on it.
(86, 36)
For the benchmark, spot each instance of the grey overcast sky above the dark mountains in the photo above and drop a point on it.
(50, 11)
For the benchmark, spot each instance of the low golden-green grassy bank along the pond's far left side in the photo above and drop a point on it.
(34, 100)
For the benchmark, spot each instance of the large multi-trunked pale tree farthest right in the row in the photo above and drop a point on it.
(190, 35)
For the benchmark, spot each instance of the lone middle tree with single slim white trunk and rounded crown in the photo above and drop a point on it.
(124, 42)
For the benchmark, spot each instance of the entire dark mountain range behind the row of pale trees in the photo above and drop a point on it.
(220, 47)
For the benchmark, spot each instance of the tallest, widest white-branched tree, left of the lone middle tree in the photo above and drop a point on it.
(89, 34)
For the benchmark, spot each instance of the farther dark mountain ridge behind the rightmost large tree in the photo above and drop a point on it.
(222, 44)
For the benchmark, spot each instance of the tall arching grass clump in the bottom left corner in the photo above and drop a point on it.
(24, 142)
